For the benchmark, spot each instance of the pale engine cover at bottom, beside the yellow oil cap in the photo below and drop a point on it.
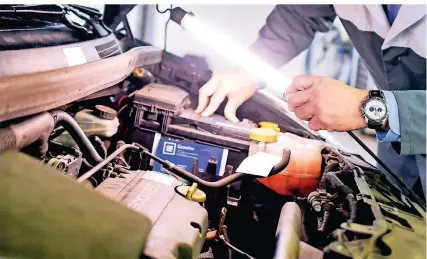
(179, 226)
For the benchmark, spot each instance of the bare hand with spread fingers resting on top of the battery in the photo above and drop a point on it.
(235, 86)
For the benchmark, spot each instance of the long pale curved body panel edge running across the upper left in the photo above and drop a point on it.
(32, 93)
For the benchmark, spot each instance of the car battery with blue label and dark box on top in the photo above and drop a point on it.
(165, 123)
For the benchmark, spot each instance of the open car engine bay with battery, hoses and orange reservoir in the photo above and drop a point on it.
(135, 139)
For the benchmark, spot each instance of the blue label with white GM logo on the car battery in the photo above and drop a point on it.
(183, 153)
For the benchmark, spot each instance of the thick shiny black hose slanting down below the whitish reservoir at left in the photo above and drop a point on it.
(70, 125)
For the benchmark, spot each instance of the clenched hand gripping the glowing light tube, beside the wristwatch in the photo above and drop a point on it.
(326, 103)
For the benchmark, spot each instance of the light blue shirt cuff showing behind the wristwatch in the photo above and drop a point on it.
(393, 135)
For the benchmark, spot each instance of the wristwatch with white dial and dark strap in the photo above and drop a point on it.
(374, 110)
